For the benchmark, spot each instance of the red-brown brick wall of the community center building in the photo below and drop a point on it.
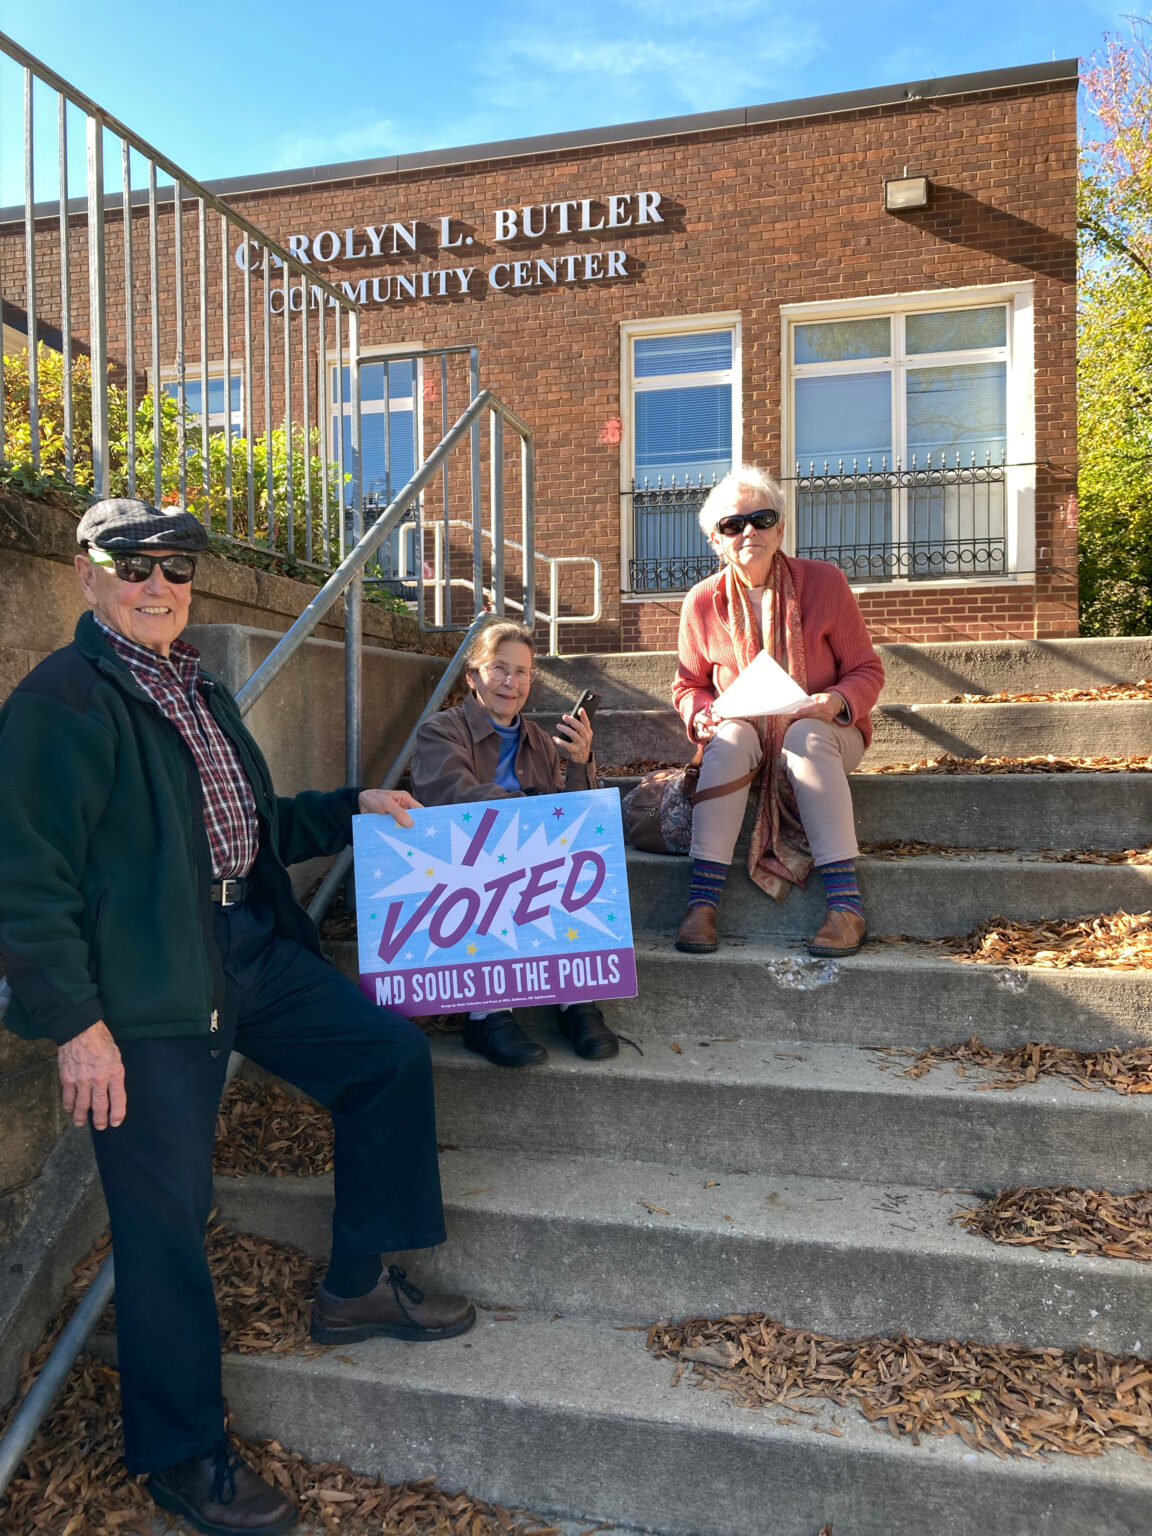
(758, 217)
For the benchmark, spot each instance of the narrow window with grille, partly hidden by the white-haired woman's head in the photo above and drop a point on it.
(683, 408)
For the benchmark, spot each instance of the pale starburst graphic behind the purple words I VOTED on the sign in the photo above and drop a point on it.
(508, 896)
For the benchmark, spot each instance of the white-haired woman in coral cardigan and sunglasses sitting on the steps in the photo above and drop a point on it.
(806, 615)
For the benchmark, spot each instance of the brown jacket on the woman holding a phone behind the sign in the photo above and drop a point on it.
(458, 750)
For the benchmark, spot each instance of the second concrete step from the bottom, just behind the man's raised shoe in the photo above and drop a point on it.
(638, 1242)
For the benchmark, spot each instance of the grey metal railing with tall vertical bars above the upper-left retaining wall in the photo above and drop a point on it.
(300, 365)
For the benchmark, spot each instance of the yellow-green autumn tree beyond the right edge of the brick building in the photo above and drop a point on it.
(1116, 339)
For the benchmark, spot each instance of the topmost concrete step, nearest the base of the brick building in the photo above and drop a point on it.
(915, 674)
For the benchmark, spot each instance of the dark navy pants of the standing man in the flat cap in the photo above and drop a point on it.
(297, 1016)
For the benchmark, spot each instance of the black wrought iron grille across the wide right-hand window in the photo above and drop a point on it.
(904, 523)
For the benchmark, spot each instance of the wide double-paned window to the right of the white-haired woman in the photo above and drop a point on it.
(901, 434)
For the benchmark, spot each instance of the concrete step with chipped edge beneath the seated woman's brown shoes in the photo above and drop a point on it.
(889, 995)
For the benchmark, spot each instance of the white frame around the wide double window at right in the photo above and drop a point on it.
(1021, 402)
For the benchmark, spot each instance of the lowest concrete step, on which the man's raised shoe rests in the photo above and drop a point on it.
(574, 1417)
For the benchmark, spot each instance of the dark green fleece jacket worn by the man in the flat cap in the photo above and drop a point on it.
(105, 867)
